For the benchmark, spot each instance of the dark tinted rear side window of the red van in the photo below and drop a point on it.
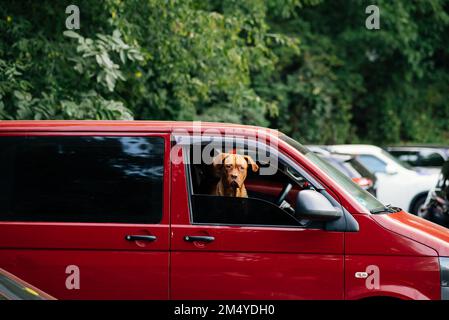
(81, 179)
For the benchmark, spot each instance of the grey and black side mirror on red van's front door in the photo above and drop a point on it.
(312, 205)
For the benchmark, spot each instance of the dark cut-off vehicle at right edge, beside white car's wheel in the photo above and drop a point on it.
(436, 207)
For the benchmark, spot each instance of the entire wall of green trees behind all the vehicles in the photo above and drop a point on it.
(307, 67)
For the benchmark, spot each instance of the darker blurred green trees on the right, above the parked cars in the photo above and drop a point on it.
(351, 84)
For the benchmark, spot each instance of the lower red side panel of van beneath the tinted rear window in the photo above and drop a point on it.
(103, 274)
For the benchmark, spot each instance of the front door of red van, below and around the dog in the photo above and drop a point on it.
(248, 248)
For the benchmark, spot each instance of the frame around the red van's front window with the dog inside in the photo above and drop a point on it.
(186, 144)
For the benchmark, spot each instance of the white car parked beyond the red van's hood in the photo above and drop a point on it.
(397, 184)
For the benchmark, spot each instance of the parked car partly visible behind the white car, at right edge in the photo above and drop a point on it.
(421, 156)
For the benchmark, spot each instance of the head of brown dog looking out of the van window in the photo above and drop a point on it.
(233, 168)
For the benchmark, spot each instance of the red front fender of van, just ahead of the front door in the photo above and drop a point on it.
(400, 266)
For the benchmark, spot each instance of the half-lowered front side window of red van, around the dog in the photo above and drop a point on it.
(260, 207)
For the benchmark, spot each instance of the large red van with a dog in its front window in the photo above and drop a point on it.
(122, 210)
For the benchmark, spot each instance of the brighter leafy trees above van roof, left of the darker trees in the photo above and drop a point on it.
(149, 59)
